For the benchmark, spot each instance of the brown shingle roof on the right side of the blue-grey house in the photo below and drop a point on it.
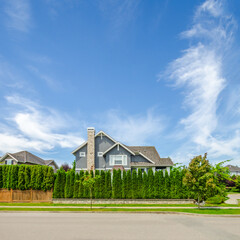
(151, 153)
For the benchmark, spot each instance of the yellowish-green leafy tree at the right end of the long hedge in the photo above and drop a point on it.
(200, 178)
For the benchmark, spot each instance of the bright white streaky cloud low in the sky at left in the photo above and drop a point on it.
(32, 127)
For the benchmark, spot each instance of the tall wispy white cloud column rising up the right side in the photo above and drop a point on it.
(199, 72)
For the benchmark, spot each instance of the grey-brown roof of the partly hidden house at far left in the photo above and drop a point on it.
(27, 157)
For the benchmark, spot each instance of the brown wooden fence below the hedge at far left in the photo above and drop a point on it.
(27, 196)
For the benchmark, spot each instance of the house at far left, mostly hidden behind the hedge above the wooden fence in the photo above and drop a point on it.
(28, 158)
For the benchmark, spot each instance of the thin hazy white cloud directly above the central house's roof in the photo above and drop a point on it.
(133, 129)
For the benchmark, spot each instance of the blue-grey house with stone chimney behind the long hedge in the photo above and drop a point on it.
(102, 152)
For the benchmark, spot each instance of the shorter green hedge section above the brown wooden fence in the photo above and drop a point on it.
(25, 177)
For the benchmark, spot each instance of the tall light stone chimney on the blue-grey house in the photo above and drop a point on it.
(91, 149)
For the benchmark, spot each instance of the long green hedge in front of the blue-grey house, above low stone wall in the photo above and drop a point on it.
(122, 185)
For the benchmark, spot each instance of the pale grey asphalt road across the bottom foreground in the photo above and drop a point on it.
(106, 226)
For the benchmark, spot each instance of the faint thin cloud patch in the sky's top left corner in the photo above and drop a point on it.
(18, 14)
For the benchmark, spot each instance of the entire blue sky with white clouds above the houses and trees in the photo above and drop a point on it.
(162, 73)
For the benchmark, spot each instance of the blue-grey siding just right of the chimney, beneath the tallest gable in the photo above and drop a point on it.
(101, 145)
